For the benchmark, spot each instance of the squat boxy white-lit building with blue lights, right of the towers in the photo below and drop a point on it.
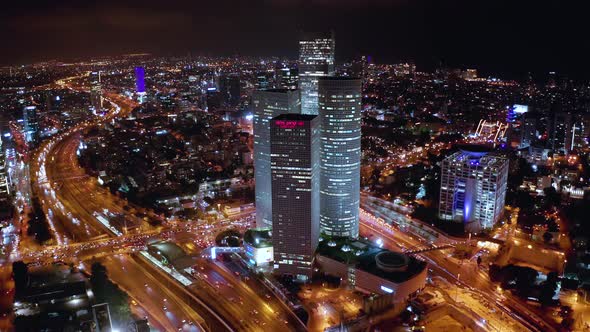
(473, 188)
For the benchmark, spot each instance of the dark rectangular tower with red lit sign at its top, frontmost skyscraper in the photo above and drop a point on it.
(295, 192)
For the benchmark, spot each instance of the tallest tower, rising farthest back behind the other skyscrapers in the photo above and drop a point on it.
(316, 59)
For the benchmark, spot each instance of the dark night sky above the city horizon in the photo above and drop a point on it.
(500, 37)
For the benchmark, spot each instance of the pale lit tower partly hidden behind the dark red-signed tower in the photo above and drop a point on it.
(267, 105)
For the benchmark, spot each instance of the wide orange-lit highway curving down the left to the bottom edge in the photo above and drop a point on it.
(75, 205)
